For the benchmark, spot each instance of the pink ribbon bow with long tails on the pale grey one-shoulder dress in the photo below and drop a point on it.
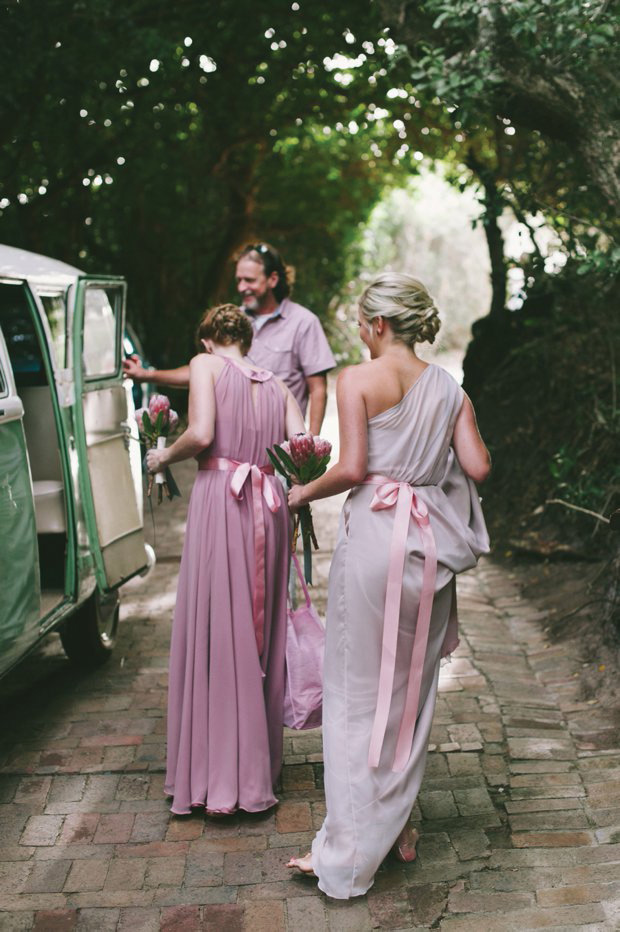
(389, 494)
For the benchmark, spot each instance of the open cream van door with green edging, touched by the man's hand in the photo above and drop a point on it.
(105, 432)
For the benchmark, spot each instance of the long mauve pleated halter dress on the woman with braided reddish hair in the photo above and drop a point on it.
(227, 655)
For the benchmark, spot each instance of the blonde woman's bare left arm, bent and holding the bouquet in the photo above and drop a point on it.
(352, 466)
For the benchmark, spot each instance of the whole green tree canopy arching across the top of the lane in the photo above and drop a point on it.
(153, 140)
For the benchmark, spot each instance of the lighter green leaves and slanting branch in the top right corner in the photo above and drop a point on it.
(549, 66)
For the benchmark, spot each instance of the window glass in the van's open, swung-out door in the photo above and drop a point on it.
(102, 307)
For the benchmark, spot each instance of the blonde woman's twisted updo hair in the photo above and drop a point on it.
(405, 303)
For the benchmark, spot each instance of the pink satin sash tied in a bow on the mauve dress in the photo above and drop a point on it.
(261, 488)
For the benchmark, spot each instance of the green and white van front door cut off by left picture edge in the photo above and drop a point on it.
(19, 560)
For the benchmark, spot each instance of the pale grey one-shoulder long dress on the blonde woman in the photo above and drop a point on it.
(375, 734)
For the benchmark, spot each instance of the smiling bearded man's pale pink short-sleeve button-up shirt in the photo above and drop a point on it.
(292, 345)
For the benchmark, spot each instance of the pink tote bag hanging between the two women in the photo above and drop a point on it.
(305, 646)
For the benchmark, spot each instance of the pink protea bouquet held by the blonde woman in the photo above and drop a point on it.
(303, 458)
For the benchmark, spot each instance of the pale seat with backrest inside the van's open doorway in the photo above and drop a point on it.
(42, 443)
